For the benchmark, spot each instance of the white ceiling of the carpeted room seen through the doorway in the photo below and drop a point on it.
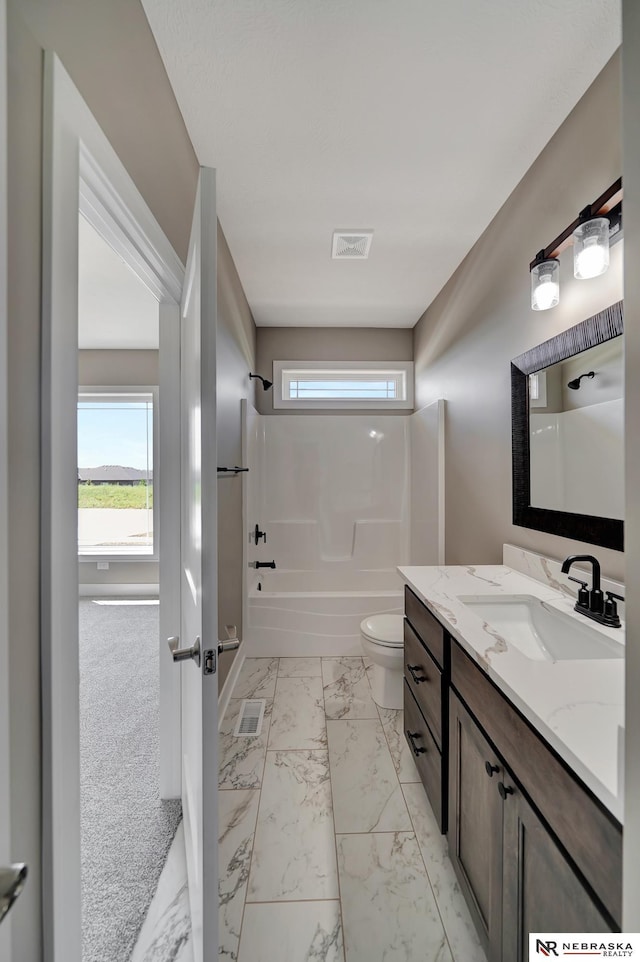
(115, 310)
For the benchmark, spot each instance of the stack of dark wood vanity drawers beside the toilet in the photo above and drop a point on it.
(426, 672)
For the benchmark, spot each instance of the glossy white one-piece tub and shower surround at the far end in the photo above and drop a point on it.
(337, 500)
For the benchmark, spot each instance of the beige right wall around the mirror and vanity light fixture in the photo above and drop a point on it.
(482, 318)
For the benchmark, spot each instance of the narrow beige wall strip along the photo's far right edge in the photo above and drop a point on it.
(631, 173)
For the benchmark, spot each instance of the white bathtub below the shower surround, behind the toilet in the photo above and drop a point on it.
(298, 613)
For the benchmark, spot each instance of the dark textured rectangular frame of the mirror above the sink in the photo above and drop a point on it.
(608, 532)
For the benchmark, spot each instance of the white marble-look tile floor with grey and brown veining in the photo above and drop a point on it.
(329, 850)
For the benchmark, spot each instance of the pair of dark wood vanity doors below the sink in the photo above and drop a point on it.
(515, 876)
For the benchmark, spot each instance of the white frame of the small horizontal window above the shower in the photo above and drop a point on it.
(284, 371)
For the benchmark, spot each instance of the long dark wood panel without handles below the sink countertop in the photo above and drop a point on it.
(590, 835)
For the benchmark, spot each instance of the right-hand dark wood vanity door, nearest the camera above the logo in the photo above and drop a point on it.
(542, 892)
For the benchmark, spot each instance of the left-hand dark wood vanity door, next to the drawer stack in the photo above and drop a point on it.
(475, 824)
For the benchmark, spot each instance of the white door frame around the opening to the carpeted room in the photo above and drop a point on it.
(82, 172)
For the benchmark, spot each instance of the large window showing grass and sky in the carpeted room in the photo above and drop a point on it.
(116, 503)
